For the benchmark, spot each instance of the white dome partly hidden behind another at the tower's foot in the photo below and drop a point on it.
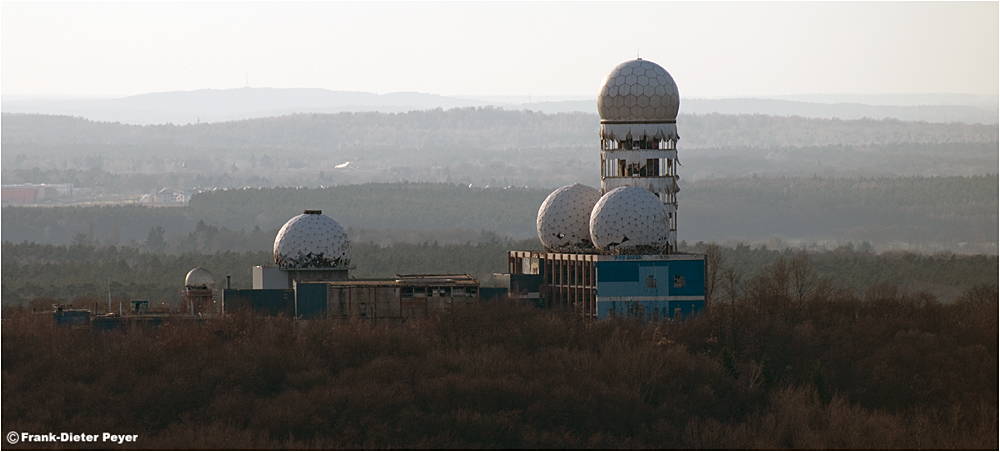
(564, 218)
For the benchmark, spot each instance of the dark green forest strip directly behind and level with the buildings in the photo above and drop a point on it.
(45, 274)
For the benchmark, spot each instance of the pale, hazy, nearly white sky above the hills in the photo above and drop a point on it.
(506, 48)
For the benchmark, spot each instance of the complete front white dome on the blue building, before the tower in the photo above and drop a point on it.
(629, 220)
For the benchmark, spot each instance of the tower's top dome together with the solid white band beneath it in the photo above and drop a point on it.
(638, 100)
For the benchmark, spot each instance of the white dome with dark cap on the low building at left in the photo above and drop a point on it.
(311, 240)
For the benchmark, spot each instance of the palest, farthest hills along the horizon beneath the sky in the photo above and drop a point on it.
(211, 105)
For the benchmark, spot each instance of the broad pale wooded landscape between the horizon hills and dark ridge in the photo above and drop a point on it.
(481, 146)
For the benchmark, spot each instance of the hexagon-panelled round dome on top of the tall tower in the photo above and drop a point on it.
(638, 90)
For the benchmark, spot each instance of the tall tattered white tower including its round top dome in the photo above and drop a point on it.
(638, 104)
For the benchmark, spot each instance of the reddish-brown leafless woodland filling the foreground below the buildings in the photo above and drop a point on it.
(767, 370)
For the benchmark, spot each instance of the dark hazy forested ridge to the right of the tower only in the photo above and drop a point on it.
(901, 213)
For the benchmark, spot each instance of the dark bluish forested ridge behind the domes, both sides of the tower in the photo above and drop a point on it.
(930, 214)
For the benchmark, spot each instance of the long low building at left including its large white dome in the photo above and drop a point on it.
(310, 280)
